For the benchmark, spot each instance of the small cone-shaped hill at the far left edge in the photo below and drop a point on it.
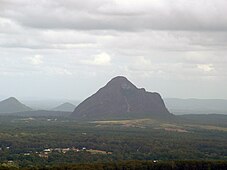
(12, 105)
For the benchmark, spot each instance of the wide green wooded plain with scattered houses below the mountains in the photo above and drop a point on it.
(53, 141)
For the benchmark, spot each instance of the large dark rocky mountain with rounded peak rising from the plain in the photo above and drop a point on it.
(120, 98)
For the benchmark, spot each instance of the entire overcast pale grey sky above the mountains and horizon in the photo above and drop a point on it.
(69, 48)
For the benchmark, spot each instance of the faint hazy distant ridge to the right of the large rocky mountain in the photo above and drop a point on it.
(196, 106)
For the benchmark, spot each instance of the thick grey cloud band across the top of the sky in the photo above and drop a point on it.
(117, 15)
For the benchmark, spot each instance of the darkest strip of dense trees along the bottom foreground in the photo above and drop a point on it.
(136, 165)
